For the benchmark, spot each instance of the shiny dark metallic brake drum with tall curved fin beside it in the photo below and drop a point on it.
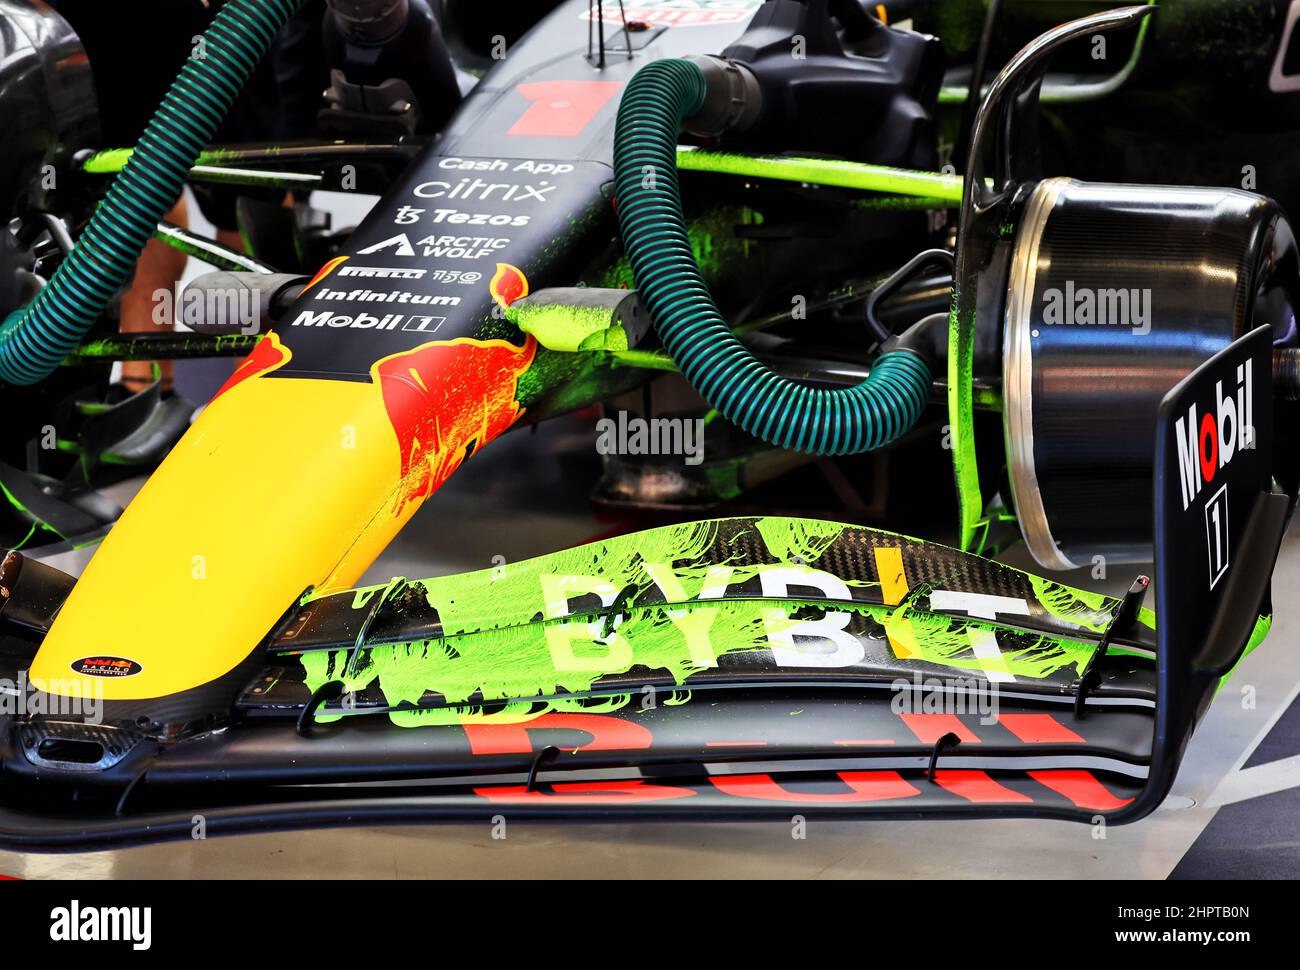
(1058, 279)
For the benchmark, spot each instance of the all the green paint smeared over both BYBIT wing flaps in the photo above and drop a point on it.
(517, 635)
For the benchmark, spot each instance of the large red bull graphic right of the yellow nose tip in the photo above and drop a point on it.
(447, 401)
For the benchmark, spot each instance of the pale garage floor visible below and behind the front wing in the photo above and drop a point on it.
(1233, 812)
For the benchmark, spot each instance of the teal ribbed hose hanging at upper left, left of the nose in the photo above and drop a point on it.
(34, 340)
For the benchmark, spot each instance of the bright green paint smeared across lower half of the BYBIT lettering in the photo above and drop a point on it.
(517, 666)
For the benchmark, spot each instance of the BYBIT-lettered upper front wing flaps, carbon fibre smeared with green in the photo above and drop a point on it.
(686, 605)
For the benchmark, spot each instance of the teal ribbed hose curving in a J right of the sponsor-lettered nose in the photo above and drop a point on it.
(840, 422)
